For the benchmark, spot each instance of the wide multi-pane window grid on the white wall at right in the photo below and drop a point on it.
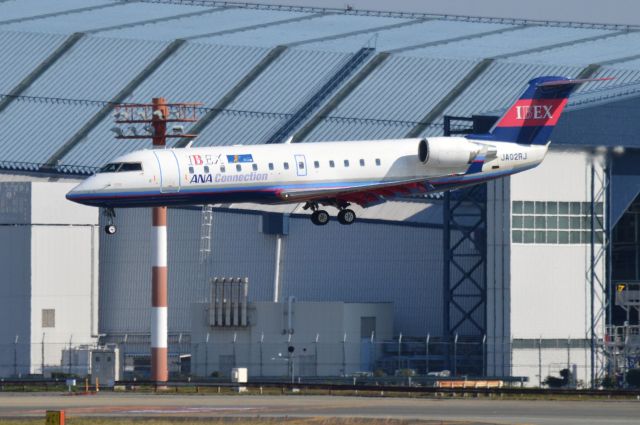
(554, 222)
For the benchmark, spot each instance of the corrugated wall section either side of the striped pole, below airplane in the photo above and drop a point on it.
(238, 249)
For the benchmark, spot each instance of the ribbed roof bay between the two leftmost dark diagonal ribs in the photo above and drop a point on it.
(86, 72)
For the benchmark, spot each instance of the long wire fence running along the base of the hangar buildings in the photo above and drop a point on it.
(309, 358)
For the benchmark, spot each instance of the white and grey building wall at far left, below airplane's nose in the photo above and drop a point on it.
(48, 258)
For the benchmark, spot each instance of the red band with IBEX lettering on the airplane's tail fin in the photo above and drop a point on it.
(533, 113)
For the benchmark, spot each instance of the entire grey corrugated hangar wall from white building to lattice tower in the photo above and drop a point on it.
(363, 263)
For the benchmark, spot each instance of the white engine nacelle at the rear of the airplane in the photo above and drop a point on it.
(447, 152)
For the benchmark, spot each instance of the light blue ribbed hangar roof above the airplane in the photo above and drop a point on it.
(341, 74)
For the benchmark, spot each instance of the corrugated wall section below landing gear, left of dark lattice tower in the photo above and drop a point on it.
(368, 263)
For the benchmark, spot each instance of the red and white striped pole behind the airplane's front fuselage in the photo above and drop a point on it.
(159, 270)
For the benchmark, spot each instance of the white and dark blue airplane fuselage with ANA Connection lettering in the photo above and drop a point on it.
(292, 172)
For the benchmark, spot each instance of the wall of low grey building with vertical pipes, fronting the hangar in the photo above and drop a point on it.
(318, 336)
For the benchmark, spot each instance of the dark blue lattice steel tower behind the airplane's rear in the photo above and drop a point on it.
(465, 267)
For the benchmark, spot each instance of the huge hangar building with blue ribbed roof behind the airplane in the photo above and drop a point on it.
(498, 280)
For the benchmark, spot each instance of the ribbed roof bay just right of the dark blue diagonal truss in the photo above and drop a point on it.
(403, 88)
